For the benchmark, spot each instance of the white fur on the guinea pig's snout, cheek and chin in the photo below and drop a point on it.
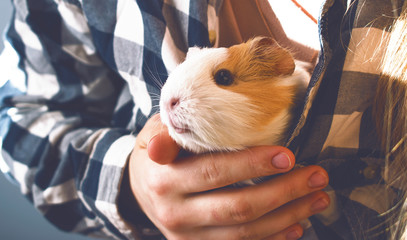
(216, 119)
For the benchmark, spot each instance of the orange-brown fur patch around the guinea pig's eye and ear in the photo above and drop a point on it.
(256, 65)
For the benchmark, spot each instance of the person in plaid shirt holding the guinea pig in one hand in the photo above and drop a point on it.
(83, 139)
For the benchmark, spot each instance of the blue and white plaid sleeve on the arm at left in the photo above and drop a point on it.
(57, 100)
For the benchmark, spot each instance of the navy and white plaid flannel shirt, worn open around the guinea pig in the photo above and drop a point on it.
(81, 77)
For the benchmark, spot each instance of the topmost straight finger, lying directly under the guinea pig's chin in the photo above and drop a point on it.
(215, 170)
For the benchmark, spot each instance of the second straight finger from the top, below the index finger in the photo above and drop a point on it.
(236, 206)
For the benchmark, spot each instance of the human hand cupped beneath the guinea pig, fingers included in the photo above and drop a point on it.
(184, 197)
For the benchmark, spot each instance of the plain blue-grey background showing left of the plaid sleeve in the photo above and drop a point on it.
(18, 218)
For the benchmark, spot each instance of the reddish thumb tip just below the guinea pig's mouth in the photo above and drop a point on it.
(162, 148)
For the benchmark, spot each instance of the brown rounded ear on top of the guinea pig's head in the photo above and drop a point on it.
(268, 51)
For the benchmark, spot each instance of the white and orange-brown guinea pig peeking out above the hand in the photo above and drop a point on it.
(227, 99)
